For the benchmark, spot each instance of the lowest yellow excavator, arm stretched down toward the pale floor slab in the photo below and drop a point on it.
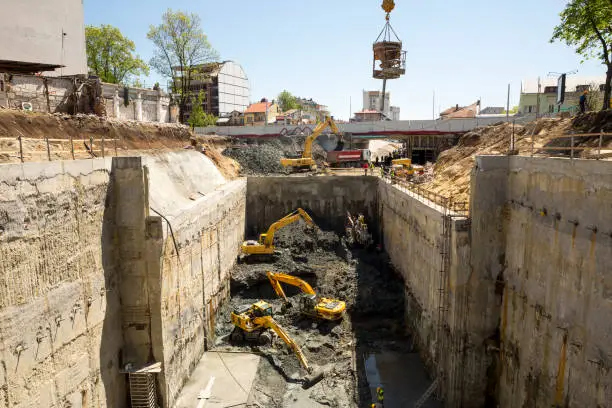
(252, 324)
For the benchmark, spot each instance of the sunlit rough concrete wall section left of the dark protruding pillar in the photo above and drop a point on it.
(60, 328)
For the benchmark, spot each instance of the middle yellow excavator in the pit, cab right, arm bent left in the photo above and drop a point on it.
(310, 303)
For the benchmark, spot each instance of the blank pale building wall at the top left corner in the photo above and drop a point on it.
(43, 36)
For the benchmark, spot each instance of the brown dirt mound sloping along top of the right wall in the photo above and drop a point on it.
(452, 170)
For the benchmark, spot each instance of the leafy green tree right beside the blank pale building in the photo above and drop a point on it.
(111, 56)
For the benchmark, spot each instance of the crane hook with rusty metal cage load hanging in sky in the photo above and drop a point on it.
(388, 53)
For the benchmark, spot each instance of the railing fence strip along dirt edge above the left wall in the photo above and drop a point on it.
(26, 148)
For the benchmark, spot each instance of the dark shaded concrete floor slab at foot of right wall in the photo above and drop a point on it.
(402, 377)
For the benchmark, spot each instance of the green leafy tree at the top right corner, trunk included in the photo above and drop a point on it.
(586, 25)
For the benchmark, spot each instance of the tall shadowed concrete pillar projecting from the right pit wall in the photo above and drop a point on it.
(488, 201)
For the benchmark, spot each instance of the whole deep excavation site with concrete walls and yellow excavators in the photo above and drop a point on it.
(445, 263)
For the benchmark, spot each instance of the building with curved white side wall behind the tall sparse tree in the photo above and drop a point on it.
(225, 86)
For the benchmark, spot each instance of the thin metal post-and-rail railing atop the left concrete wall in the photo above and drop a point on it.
(95, 148)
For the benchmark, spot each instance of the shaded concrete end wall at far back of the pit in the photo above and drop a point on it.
(326, 199)
